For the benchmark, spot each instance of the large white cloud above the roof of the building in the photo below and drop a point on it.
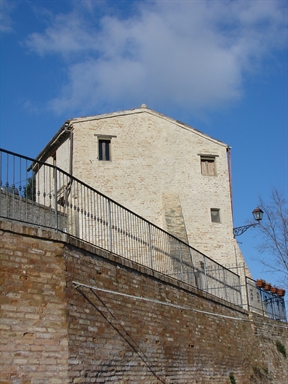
(189, 54)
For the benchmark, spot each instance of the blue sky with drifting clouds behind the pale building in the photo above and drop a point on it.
(219, 66)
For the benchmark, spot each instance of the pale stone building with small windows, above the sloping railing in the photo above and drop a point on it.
(165, 171)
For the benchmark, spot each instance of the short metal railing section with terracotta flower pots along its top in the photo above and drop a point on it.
(265, 302)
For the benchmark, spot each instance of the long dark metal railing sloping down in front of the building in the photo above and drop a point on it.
(44, 195)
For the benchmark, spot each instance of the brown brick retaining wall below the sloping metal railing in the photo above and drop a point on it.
(71, 313)
